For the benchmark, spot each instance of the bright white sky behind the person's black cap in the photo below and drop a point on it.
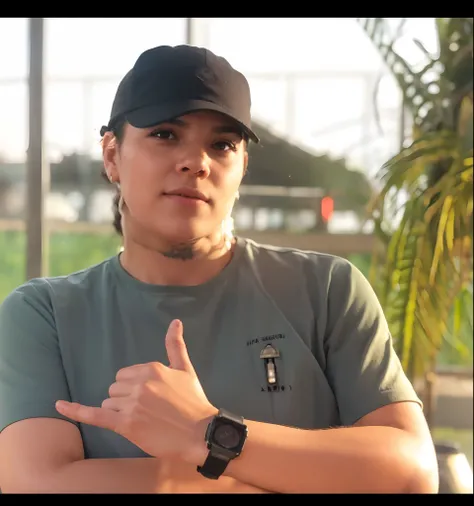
(326, 111)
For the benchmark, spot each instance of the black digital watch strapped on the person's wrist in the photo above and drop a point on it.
(225, 438)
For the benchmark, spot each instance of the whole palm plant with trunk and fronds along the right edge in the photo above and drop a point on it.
(424, 272)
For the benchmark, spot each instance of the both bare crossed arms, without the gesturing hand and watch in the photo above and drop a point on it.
(46, 456)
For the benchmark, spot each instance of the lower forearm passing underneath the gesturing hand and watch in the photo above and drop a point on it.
(137, 475)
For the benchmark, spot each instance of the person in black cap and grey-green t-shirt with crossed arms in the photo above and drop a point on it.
(286, 380)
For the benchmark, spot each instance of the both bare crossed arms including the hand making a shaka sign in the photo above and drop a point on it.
(164, 411)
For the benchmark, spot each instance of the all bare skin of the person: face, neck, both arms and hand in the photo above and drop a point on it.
(168, 240)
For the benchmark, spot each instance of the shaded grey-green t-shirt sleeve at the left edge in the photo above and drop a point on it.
(32, 377)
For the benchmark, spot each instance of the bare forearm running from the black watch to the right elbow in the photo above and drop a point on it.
(344, 460)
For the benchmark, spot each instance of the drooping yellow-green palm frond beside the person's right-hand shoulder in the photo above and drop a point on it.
(423, 268)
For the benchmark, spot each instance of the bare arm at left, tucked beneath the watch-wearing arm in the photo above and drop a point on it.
(45, 455)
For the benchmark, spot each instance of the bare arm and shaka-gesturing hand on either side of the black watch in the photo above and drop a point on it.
(164, 410)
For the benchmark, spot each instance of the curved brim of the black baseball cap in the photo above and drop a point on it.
(154, 115)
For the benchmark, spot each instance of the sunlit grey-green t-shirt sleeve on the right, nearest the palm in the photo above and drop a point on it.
(363, 368)
